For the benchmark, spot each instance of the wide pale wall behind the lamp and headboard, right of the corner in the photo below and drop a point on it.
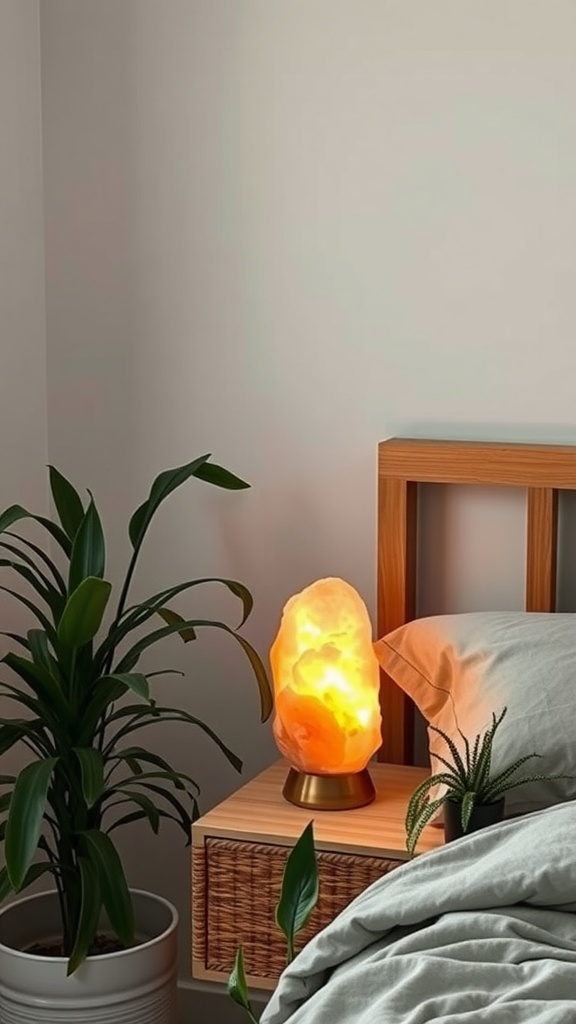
(281, 232)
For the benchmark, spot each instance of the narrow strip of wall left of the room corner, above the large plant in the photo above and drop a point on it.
(23, 355)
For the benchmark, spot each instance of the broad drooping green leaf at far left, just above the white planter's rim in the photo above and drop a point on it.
(25, 819)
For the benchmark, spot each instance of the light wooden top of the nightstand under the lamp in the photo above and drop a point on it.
(258, 813)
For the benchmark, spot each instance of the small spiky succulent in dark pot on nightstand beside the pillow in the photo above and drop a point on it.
(473, 798)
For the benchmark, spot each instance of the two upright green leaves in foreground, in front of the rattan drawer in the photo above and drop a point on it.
(299, 897)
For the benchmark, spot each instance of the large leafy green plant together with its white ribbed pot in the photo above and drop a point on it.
(83, 695)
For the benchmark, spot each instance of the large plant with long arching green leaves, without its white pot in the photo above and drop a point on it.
(84, 694)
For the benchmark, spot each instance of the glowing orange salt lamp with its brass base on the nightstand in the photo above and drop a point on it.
(326, 685)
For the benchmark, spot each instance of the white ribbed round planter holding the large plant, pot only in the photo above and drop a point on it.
(135, 987)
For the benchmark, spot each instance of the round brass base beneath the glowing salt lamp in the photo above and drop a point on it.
(330, 793)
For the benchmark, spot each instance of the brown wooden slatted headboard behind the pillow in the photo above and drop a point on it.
(405, 463)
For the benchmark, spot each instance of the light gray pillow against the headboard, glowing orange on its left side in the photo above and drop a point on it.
(459, 669)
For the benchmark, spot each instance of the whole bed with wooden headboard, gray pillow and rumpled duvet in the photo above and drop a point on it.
(483, 929)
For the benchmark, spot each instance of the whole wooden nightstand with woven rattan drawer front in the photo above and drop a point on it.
(239, 851)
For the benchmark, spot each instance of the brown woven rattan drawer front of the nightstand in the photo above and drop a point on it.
(236, 889)
